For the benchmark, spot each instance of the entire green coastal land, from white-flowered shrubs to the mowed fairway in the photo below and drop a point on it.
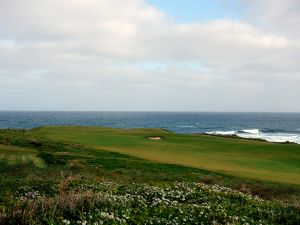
(94, 175)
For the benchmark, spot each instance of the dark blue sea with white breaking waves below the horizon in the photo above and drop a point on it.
(277, 127)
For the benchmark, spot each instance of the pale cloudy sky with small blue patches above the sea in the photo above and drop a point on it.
(150, 55)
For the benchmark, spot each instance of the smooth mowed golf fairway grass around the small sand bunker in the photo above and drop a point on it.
(238, 157)
